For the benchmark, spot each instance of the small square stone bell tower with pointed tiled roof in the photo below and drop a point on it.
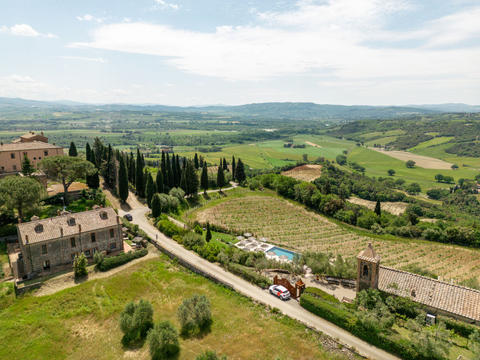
(368, 264)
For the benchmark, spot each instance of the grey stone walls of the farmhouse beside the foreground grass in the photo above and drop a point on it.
(60, 251)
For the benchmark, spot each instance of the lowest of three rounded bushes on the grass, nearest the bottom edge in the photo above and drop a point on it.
(163, 341)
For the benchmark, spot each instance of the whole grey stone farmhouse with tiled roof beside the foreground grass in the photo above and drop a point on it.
(50, 245)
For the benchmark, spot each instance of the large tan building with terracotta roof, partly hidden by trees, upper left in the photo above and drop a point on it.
(35, 146)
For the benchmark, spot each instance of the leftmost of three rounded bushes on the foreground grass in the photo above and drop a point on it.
(135, 321)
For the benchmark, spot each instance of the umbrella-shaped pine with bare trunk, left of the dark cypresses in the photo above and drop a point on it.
(66, 170)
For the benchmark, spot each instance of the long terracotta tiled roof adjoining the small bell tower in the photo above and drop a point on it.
(441, 295)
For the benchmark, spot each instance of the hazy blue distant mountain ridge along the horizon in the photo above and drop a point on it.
(268, 110)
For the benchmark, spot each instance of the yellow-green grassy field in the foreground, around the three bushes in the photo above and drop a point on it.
(82, 322)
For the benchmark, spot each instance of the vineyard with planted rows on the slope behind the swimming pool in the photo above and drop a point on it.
(293, 227)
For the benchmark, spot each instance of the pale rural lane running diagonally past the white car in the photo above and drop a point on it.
(290, 308)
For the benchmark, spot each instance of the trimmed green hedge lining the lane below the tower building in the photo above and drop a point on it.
(339, 315)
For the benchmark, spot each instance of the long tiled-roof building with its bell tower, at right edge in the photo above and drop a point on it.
(438, 297)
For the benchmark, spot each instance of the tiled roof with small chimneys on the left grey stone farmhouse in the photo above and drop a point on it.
(88, 220)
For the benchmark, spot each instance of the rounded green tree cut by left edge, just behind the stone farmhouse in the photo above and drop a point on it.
(20, 193)
